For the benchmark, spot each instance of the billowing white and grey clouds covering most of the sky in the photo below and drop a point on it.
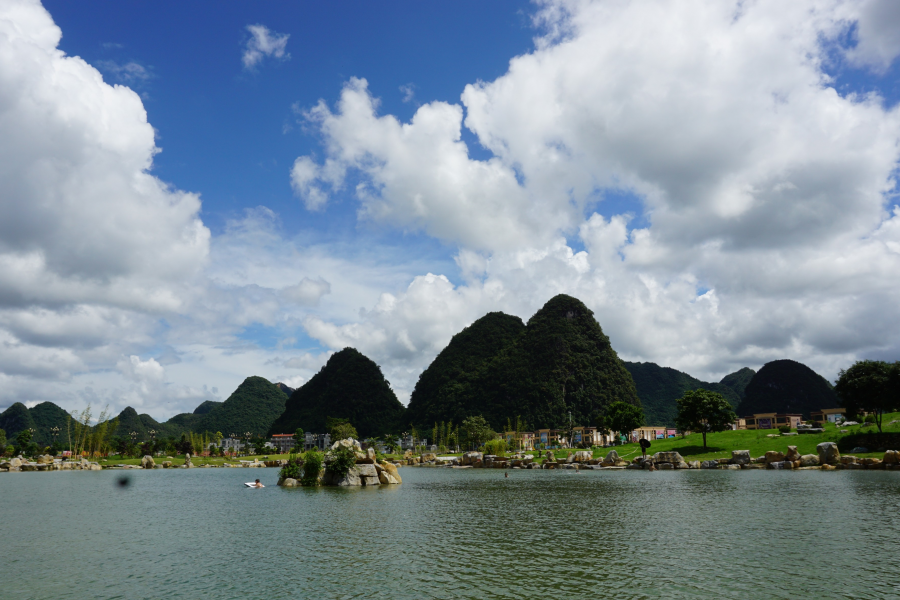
(760, 219)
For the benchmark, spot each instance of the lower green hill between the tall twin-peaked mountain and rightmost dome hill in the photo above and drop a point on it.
(660, 387)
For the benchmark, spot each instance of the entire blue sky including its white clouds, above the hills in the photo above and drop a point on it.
(715, 180)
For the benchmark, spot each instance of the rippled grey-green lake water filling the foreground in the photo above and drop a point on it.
(452, 534)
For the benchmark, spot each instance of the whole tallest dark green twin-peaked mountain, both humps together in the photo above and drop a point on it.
(561, 363)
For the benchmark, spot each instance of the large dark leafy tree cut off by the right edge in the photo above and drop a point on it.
(870, 385)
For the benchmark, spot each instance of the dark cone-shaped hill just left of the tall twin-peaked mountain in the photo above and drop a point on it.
(350, 386)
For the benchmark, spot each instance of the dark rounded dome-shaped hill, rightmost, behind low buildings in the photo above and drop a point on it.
(787, 386)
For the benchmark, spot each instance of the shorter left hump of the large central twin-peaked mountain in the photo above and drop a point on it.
(448, 387)
